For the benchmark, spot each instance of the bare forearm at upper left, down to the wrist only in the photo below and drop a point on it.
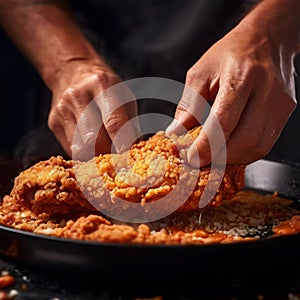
(46, 34)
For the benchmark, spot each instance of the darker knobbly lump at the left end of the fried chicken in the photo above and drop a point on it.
(50, 186)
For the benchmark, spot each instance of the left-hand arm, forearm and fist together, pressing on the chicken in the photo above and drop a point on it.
(74, 72)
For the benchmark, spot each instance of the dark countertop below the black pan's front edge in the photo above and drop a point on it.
(33, 284)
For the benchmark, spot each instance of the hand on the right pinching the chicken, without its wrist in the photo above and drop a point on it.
(251, 80)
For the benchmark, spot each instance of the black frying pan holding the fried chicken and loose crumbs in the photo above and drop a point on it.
(96, 260)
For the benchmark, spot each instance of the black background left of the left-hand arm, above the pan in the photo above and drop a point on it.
(25, 103)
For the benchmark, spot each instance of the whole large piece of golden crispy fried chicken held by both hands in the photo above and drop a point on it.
(151, 178)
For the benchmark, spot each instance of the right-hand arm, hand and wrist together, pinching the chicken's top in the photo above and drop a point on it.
(249, 76)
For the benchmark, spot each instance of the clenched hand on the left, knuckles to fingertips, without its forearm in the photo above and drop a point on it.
(77, 86)
